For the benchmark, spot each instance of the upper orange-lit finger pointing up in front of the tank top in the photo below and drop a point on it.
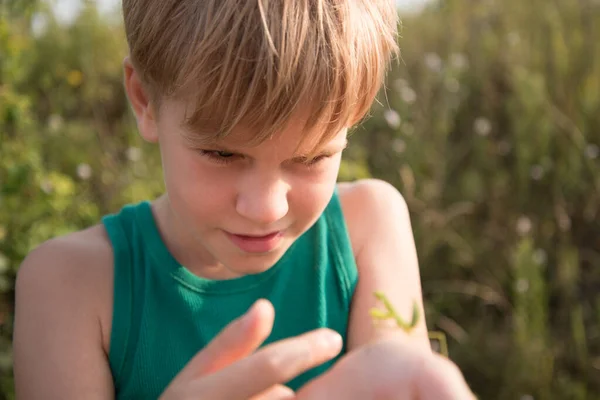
(237, 340)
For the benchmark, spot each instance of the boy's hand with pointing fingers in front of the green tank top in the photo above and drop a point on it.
(229, 368)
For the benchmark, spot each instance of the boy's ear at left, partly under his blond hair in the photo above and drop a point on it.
(142, 106)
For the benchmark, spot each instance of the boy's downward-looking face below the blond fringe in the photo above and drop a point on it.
(220, 194)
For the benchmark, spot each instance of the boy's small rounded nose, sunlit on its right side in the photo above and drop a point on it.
(263, 201)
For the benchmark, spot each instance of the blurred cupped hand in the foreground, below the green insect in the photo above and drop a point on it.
(393, 368)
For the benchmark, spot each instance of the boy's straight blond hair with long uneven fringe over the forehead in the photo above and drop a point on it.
(260, 62)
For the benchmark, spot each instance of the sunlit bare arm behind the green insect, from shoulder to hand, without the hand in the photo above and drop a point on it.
(381, 233)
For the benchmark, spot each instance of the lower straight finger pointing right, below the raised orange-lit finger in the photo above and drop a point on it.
(274, 364)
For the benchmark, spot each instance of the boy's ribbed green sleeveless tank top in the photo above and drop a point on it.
(163, 314)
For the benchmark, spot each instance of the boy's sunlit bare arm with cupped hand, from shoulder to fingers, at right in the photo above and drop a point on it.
(384, 362)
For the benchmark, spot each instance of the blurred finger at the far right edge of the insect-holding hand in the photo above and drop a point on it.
(442, 380)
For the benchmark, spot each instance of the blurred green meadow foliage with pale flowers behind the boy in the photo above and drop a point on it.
(490, 127)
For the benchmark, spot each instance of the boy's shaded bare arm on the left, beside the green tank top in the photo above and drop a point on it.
(58, 352)
